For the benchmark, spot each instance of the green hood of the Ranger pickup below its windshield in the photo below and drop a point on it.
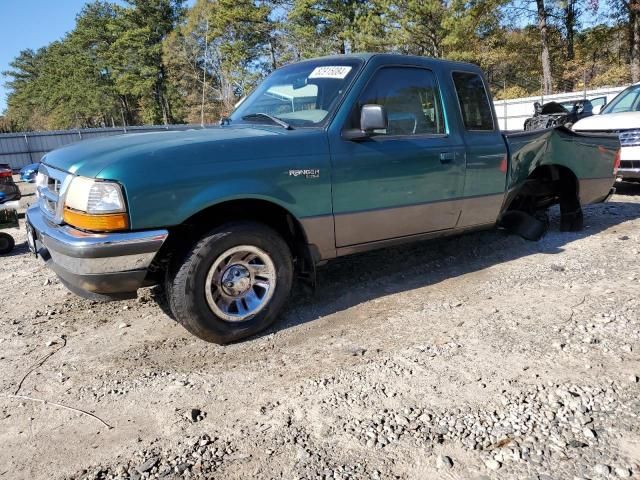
(99, 158)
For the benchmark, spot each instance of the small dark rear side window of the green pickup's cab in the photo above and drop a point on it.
(474, 102)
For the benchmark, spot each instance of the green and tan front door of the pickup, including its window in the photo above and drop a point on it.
(403, 180)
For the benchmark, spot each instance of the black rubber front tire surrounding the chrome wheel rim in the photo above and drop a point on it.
(186, 279)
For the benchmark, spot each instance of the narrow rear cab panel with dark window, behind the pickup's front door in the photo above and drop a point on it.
(485, 177)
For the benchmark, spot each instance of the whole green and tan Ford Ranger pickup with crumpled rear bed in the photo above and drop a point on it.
(327, 157)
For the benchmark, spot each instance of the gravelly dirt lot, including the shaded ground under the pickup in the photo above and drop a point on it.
(484, 356)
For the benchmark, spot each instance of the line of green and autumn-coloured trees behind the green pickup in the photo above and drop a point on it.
(154, 61)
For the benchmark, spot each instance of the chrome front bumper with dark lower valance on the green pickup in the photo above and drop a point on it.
(103, 263)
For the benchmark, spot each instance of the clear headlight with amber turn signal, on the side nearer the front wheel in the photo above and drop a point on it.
(95, 205)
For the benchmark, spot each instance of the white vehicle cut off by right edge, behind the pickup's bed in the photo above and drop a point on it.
(621, 116)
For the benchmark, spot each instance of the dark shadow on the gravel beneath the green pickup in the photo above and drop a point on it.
(349, 281)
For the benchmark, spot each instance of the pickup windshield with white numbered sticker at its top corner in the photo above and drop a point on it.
(300, 95)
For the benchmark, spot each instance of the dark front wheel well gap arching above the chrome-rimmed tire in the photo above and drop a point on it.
(265, 212)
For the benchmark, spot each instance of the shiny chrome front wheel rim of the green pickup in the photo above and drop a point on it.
(240, 283)
